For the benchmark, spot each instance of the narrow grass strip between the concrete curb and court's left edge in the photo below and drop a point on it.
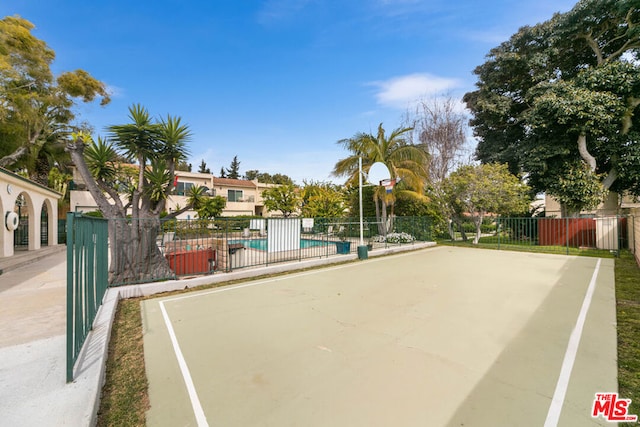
(124, 399)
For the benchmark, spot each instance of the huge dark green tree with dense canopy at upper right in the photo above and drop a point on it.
(563, 94)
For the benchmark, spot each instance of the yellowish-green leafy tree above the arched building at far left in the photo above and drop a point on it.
(36, 108)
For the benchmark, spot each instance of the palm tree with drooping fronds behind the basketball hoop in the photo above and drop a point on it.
(404, 160)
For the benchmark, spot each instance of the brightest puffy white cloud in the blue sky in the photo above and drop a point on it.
(400, 92)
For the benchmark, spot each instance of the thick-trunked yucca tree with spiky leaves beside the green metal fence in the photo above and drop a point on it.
(156, 147)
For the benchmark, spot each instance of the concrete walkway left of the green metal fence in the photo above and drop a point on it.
(33, 391)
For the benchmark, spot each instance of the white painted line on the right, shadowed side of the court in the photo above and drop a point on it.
(553, 416)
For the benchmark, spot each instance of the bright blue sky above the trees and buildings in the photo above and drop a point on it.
(275, 82)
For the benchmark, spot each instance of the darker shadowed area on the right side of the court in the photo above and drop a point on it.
(518, 388)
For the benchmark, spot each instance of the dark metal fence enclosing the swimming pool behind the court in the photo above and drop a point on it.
(226, 244)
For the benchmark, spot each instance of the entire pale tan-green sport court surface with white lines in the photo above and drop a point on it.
(437, 337)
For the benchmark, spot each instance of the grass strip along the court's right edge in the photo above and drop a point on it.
(628, 315)
